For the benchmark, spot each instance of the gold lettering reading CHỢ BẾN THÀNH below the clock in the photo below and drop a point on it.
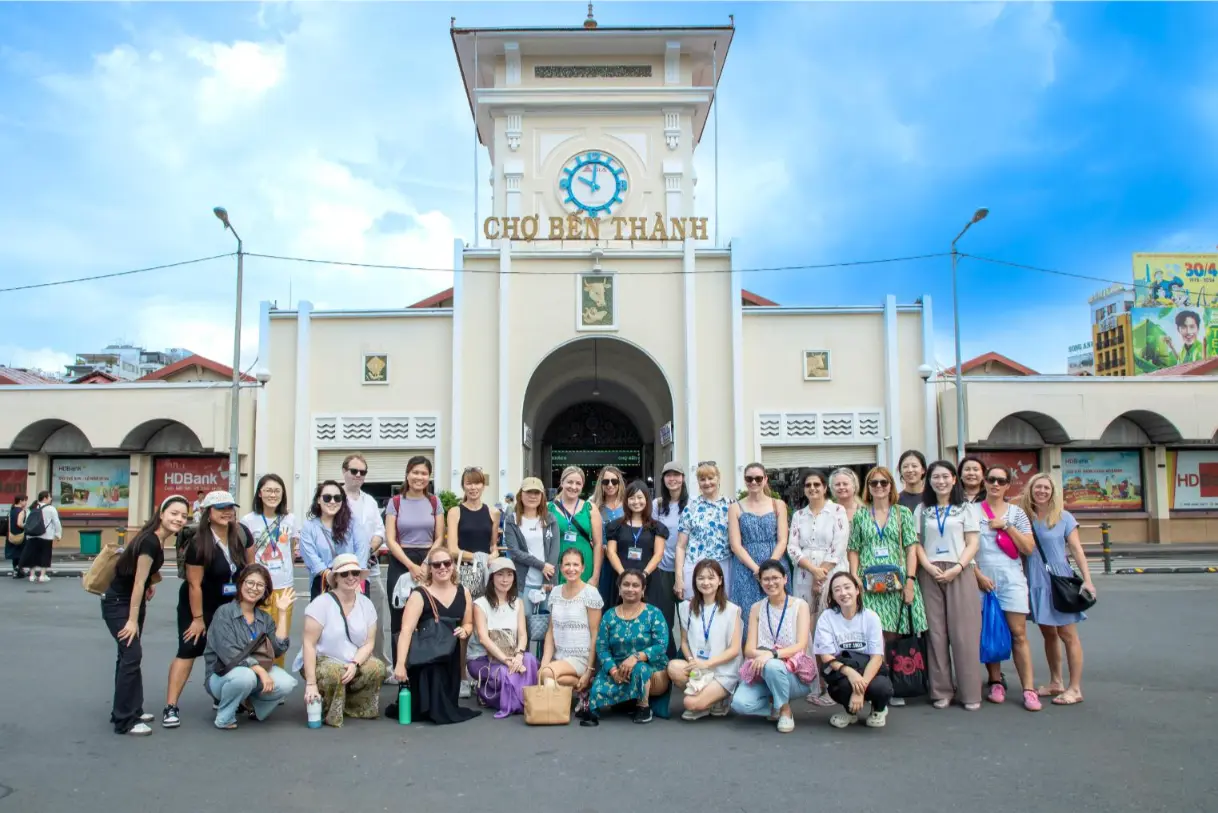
(573, 227)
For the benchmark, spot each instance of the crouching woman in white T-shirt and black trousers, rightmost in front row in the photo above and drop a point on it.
(851, 647)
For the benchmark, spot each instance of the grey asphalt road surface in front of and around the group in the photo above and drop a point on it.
(1142, 742)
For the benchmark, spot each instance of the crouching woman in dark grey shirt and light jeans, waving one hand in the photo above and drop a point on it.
(243, 644)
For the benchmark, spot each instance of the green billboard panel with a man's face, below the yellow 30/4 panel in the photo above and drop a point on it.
(1166, 337)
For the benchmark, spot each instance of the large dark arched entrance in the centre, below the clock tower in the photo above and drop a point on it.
(597, 402)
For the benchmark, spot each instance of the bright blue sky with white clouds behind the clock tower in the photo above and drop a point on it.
(847, 132)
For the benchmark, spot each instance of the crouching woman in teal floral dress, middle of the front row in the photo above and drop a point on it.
(633, 653)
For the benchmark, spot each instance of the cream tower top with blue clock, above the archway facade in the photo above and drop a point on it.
(591, 131)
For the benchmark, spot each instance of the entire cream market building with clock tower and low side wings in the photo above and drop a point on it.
(596, 319)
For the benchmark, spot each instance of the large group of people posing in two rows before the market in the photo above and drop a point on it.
(627, 598)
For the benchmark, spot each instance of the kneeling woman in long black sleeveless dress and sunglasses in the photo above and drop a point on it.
(435, 688)
